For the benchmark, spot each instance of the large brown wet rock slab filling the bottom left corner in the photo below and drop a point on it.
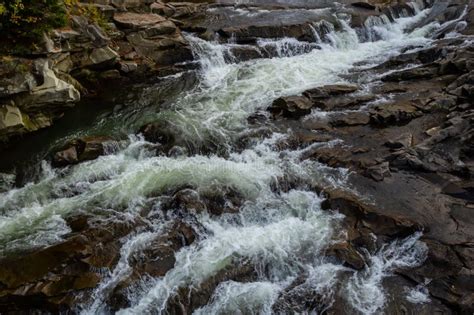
(59, 277)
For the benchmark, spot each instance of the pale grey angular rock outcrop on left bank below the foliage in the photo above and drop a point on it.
(34, 96)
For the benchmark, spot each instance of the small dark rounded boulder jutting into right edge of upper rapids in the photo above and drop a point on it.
(291, 106)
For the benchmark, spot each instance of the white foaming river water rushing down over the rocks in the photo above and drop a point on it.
(282, 233)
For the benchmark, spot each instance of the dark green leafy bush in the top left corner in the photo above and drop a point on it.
(23, 22)
